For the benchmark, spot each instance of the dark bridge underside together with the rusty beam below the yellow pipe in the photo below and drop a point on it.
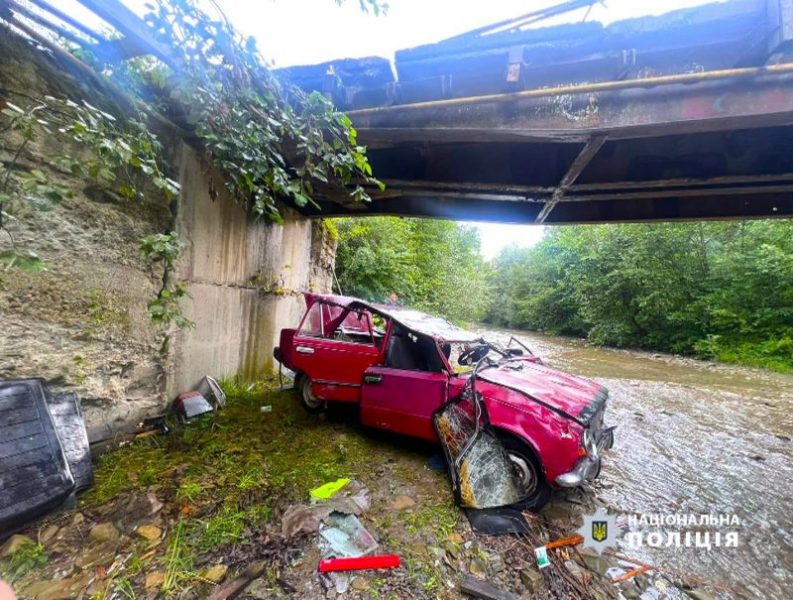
(701, 151)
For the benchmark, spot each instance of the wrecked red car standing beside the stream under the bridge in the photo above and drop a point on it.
(401, 366)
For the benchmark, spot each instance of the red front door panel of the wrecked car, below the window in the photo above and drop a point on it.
(402, 401)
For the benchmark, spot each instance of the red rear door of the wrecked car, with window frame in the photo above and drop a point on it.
(335, 366)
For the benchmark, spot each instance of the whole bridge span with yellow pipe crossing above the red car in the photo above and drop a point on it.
(688, 115)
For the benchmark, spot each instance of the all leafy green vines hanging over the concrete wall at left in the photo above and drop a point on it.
(274, 142)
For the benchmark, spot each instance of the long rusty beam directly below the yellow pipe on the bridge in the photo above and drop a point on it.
(629, 113)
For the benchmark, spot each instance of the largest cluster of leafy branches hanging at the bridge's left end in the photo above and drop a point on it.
(272, 141)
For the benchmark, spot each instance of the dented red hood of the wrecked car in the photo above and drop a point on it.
(565, 394)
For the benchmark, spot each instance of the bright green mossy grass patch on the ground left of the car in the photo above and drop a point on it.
(229, 467)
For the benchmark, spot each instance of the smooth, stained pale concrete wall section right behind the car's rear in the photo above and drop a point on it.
(245, 278)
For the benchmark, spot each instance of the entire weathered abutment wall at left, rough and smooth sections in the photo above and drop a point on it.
(83, 325)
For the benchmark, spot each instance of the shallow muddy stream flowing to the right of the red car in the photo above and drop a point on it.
(695, 438)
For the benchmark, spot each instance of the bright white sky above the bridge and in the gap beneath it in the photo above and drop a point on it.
(294, 32)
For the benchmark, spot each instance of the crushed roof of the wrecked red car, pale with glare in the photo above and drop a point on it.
(417, 321)
